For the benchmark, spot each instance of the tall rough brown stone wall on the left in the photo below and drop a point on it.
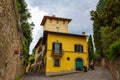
(11, 65)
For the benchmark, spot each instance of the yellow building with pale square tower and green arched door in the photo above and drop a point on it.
(63, 52)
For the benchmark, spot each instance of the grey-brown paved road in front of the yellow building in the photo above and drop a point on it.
(99, 73)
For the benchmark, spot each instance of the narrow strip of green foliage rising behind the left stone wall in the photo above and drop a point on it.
(24, 16)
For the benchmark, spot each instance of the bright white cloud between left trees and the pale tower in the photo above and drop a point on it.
(37, 16)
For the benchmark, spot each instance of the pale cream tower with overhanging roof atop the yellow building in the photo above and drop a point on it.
(56, 24)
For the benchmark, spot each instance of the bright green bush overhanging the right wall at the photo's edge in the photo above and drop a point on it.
(114, 51)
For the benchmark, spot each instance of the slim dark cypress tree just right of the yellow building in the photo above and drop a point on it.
(90, 48)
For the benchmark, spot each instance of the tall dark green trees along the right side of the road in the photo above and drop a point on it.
(106, 25)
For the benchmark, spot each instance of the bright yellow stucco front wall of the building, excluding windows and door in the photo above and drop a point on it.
(68, 41)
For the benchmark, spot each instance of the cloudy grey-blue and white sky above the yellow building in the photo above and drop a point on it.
(77, 10)
